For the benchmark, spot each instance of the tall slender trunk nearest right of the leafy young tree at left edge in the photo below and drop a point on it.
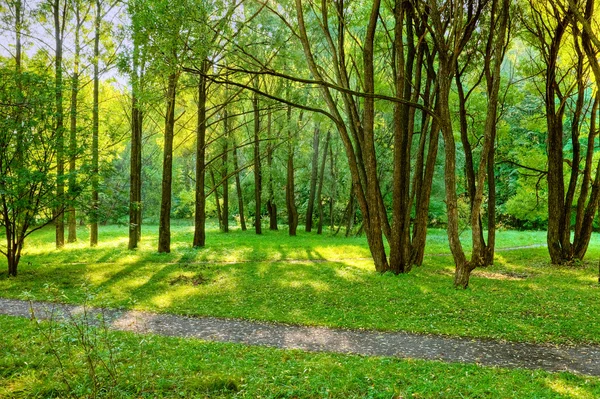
(59, 20)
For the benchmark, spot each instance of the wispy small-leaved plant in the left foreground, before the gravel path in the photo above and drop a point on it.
(89, 362)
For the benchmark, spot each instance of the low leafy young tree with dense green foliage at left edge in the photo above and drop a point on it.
(27, 184)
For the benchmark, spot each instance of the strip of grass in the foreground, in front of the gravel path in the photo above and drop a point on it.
(152, 366)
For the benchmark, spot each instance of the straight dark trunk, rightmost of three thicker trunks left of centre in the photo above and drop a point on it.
(200, 209)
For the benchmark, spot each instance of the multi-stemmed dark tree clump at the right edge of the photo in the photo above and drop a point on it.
(553, 27)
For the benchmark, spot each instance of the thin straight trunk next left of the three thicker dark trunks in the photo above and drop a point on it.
(94, 216)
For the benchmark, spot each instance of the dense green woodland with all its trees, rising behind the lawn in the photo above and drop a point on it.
(380, 118)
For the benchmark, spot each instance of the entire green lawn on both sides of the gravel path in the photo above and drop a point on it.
(308, 279)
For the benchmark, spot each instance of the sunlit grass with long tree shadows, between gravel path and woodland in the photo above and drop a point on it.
(322, 280)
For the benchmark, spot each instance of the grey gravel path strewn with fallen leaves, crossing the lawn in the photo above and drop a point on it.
(579, 359)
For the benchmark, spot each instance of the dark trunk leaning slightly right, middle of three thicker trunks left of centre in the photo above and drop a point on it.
(164, 228)
